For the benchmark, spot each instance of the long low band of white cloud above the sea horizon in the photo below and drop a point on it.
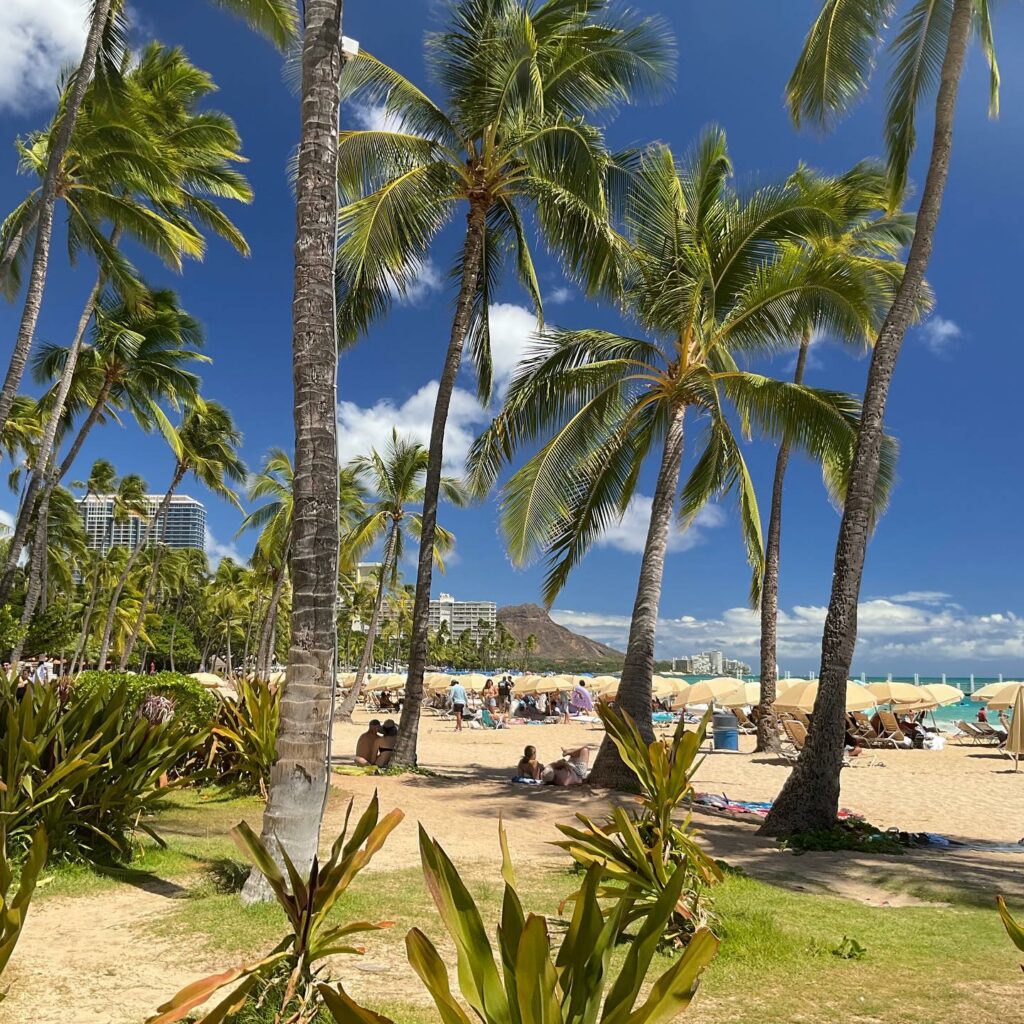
(891, 637)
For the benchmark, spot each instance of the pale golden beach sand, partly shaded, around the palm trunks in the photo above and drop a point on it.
(97, 959)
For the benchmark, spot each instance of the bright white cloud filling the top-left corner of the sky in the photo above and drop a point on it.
(37, 39)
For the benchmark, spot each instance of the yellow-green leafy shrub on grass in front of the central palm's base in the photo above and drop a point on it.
(639, 851)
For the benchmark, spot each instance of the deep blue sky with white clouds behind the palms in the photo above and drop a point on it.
(943, 589)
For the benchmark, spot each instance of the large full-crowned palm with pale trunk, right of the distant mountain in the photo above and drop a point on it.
(711, 277)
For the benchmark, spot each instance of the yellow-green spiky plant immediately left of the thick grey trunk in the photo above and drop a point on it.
(247, 735)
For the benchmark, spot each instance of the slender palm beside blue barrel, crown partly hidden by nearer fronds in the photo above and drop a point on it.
(873, 241)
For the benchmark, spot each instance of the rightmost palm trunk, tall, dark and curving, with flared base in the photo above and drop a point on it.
(810, 798)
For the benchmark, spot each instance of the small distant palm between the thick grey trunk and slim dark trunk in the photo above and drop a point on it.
(397, 479)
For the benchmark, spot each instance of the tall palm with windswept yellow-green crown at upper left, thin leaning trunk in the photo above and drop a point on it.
(158, 192)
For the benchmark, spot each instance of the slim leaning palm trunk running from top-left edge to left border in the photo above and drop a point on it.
(41, 254)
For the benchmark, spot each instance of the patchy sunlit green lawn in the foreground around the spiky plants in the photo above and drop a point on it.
(778, 962)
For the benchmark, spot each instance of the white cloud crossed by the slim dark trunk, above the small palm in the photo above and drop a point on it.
(361, 429)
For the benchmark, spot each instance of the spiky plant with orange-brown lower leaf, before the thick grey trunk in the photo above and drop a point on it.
(289, 974)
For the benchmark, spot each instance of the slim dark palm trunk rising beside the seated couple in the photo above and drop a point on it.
(406, 743)
